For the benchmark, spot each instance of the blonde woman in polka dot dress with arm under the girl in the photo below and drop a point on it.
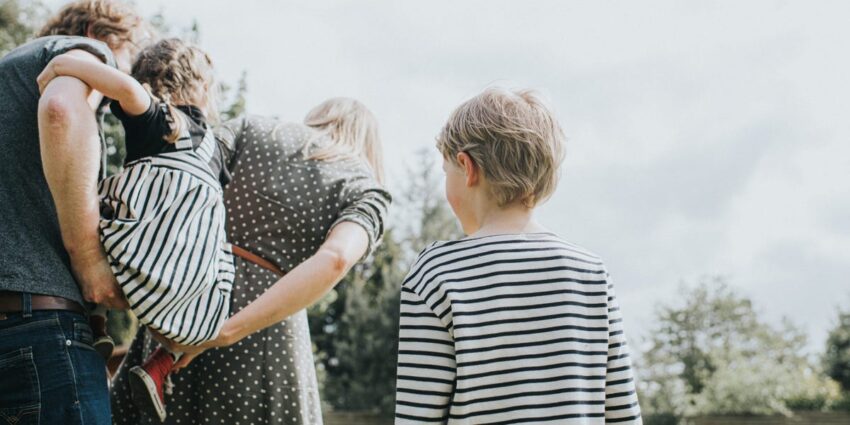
(308, 199)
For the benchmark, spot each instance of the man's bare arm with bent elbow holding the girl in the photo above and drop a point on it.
(70, 154)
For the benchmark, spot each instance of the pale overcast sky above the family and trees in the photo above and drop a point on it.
(704, 137)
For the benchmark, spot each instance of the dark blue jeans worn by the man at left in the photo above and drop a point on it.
(49, 372)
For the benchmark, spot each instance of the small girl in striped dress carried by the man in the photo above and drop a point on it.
(162, 218)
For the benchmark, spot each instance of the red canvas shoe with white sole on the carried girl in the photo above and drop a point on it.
(147, 382)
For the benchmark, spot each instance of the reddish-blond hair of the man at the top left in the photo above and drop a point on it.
(110, 21)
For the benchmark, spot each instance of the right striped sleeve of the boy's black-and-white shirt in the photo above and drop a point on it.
(621, 403)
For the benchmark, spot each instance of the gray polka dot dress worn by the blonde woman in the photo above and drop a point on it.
(280, 206)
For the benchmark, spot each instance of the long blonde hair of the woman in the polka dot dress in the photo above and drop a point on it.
(352, 130)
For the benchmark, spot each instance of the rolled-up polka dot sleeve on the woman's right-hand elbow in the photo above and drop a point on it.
(366, 204)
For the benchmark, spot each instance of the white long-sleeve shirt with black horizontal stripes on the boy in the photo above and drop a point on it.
(510, 329)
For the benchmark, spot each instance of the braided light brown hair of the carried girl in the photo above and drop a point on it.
(178, 73)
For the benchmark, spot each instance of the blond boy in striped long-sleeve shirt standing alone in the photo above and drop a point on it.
(510, 324)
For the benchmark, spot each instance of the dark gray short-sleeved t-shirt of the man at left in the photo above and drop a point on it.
(32, 256)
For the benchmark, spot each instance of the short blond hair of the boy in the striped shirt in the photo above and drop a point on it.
(513, 138)
